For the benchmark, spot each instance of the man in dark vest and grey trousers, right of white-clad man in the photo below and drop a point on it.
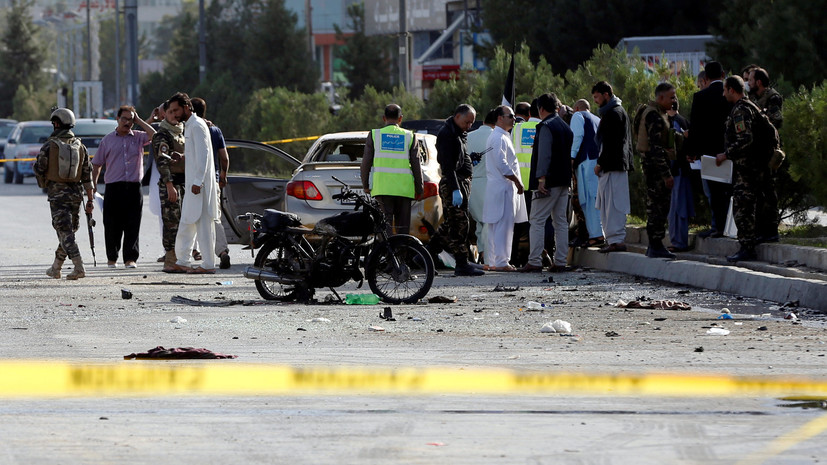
(550, 181)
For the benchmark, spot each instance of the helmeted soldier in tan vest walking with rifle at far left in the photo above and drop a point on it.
(65, 176)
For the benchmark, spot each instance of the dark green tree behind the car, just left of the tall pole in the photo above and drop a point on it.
(367, 59)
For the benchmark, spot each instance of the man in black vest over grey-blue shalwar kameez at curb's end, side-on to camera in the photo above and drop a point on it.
(613, 166)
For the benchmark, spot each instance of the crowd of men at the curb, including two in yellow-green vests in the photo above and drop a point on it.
(521, 165)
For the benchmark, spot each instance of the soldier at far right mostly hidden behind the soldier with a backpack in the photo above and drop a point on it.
(770, 102)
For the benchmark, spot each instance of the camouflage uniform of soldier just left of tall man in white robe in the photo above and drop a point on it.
(169, 139)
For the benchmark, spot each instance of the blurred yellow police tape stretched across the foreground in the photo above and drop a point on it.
(49, 379)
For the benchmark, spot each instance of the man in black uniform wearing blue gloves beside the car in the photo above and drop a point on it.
(454, 188)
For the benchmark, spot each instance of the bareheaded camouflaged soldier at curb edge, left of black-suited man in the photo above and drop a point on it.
(656, 146)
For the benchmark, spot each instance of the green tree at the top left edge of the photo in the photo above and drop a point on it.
(21, 55)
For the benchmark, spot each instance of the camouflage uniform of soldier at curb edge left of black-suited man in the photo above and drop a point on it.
(656, 169)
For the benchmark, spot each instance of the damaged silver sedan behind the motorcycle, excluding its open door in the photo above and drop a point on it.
(310, 191)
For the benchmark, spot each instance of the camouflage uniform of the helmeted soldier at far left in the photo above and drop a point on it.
(65, 198)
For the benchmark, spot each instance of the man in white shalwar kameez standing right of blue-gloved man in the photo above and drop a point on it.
(504, 203)
